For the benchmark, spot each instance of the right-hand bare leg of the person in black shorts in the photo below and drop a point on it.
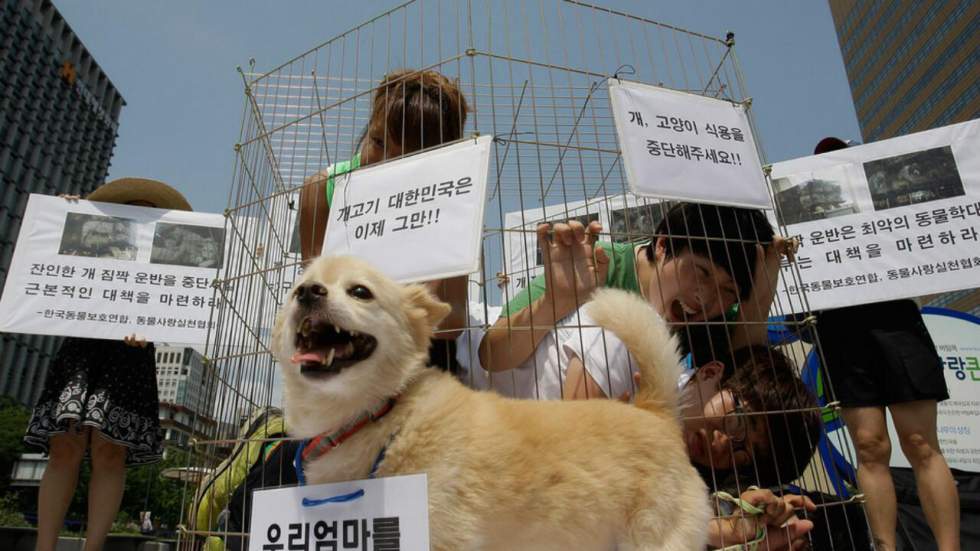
(915, 423)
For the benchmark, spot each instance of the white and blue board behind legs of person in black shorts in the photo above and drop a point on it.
(957, 338)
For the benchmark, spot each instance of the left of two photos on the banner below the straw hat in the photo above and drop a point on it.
(98, 236)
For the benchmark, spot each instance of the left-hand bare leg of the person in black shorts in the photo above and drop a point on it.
(869, 432)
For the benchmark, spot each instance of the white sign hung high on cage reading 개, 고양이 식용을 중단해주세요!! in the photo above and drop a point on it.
(687, 147)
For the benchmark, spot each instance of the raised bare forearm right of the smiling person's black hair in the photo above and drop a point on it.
(754, 310)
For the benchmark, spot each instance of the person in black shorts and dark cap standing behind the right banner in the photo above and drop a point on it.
(881, 355)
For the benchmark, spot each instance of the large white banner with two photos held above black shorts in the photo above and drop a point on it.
(892, 219)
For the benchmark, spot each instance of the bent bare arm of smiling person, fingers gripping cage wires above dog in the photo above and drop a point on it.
(573, 268)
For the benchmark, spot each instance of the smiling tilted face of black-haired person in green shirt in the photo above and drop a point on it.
(689, 287)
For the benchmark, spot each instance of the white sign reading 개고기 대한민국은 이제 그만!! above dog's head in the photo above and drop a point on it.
(416, 219)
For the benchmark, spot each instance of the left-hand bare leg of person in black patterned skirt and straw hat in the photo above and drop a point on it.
(65, 454)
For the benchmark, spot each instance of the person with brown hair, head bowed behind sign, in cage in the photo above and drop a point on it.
(410, 110)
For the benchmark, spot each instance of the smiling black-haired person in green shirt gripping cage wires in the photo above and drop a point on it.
(697, 267)
